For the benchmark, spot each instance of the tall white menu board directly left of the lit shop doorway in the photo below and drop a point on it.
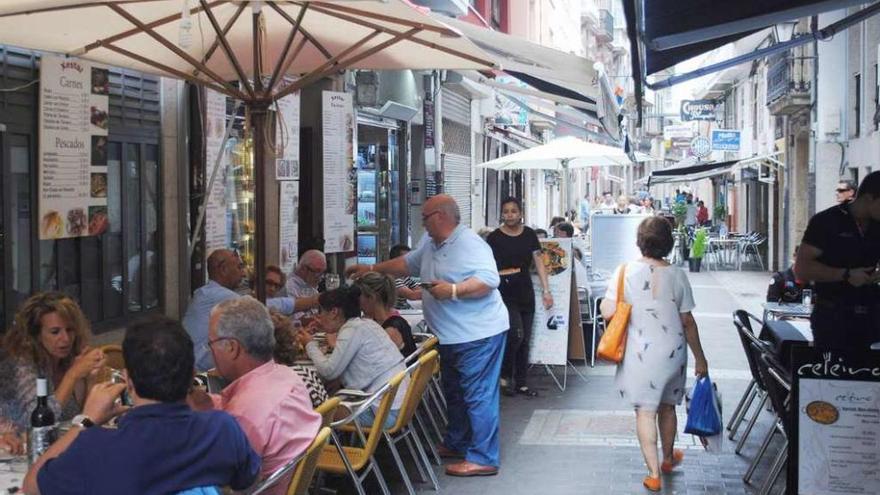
(339, 172)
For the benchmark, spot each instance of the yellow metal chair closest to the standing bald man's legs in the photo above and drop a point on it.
(402, 429)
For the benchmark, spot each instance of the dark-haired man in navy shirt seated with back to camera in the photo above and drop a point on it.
(161, 445)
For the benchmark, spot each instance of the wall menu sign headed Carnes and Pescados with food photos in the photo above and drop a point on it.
(74, 121)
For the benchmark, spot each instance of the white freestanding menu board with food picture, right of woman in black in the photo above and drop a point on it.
(550, 331)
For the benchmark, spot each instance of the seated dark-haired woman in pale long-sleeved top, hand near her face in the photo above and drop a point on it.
(363, 355)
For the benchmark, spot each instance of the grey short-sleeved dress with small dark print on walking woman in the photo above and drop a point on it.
(654, 366)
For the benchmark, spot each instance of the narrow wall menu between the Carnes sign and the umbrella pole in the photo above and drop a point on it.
(215, 208)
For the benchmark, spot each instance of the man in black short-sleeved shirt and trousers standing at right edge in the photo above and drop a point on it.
(841, 253)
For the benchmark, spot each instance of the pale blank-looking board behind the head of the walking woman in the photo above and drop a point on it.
(613, 241)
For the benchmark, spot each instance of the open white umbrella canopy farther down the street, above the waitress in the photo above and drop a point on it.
(564, 153)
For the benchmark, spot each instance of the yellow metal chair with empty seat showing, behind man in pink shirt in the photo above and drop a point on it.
(342, 459)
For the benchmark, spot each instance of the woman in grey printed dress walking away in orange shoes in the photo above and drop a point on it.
(661, 327)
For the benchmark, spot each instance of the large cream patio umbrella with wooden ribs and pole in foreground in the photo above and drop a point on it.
(214, 43)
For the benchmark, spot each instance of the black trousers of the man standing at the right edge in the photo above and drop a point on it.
(846, 327)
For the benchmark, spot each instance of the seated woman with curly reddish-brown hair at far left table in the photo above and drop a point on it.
(48, 339)
